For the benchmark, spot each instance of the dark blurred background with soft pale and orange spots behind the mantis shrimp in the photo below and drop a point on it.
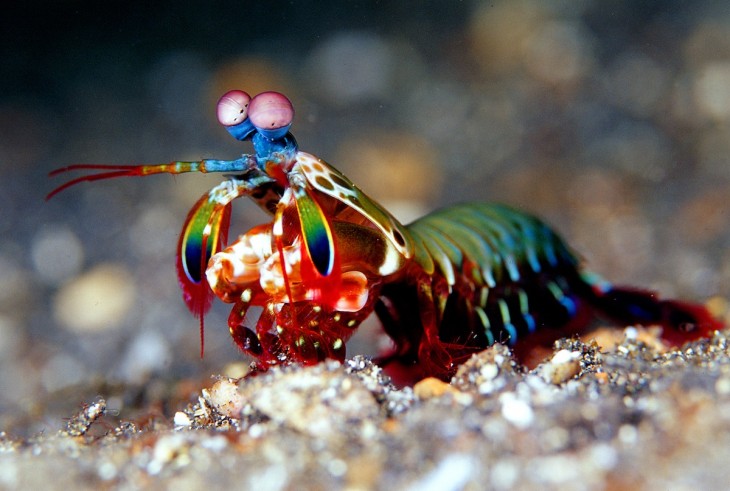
(610, 119)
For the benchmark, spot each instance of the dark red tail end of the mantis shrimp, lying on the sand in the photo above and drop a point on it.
(682, 321)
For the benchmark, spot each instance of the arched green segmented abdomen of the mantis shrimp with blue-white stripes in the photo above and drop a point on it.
(503, 273)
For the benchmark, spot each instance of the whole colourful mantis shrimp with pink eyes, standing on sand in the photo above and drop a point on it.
(445, 286)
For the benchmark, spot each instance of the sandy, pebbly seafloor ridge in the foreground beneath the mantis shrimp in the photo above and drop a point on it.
(640, 417)
